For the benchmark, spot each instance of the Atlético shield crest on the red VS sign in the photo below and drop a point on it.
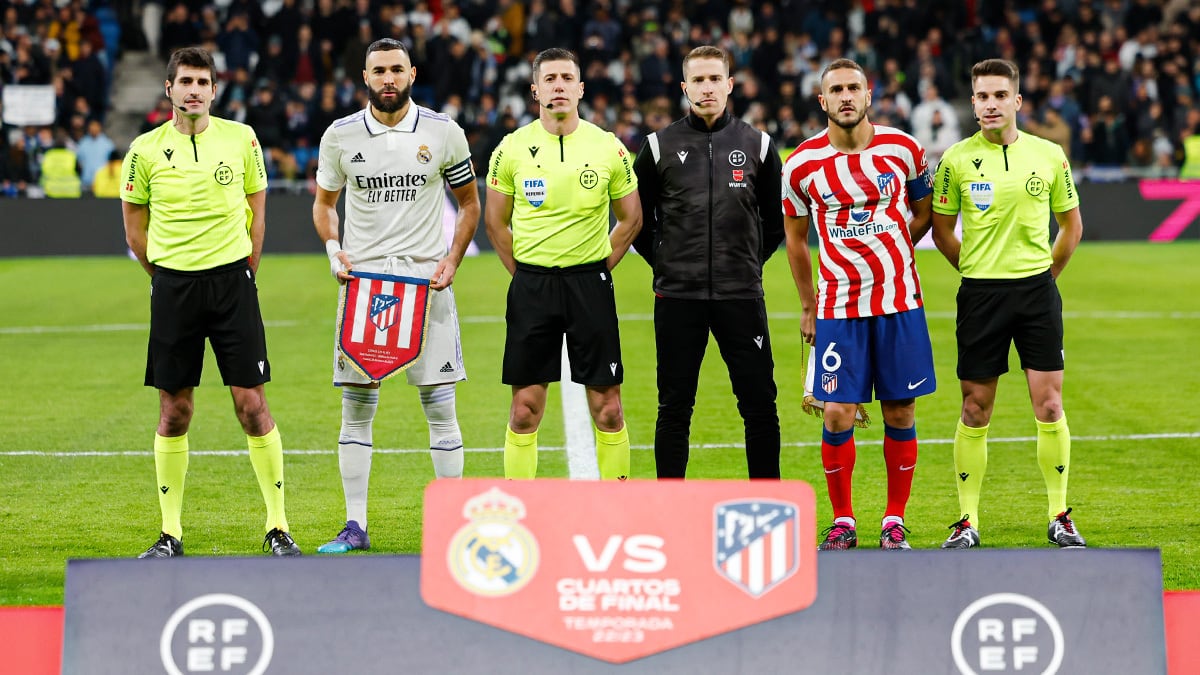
(757, 543)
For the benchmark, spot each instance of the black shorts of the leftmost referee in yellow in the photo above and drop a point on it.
(220, 304)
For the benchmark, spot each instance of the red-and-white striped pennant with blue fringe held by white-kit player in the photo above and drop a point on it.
(382, 322)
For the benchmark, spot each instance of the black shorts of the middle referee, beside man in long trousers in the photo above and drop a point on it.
(544, 304)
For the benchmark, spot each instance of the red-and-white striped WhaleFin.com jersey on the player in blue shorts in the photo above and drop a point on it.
(860, 205)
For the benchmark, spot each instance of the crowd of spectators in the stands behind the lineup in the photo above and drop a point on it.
(1114, 82)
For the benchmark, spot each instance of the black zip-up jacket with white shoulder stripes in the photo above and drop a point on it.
(711, 208)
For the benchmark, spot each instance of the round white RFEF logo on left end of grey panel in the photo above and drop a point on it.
(218, 634)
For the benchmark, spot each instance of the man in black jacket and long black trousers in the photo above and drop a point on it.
(711, 217)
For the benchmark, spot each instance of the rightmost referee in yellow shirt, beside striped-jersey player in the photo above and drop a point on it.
(1006, 184)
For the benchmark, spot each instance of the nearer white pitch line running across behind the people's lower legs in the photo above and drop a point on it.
(1099, 439)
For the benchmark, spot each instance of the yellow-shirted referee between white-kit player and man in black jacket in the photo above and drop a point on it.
(551, 184)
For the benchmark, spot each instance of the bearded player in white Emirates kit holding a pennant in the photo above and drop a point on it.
(393, 160)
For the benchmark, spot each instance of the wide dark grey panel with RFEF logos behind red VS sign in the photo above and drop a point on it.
(922, 613)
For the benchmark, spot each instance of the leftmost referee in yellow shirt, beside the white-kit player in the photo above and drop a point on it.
(195, 201)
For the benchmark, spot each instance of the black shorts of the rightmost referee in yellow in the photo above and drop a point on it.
(994, 314)
